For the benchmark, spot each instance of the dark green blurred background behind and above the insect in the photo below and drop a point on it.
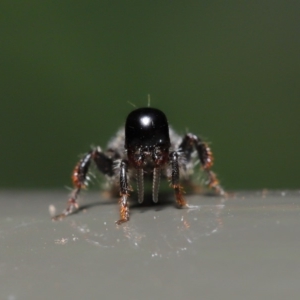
(226, 70)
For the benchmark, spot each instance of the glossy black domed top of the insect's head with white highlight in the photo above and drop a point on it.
(145, 129)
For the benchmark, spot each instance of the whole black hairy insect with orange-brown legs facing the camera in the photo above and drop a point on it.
(147, 145)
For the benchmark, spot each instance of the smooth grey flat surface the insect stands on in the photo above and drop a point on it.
(245, 247)
